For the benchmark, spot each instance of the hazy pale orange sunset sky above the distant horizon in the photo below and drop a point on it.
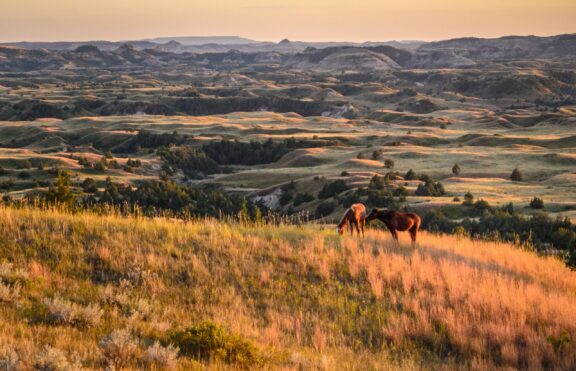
(273, 20)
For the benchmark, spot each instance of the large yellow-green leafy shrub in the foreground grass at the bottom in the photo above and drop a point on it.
(207, 340)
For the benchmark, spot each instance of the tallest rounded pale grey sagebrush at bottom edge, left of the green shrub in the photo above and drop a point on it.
(119, 348)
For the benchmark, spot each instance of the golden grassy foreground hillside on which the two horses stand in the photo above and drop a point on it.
(89, 291)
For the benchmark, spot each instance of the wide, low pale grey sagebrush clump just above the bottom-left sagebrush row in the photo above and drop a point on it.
(65, 312)
